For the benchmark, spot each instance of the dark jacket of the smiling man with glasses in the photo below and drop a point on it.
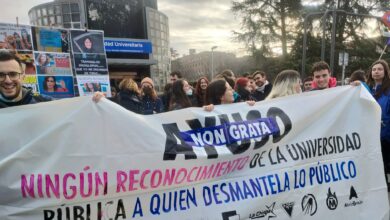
(28, 97)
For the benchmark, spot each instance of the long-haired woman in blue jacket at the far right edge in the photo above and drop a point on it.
(379, 82)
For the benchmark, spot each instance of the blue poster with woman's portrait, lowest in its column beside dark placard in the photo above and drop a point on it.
(56, 86)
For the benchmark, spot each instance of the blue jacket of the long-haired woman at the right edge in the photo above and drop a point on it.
(384, 103)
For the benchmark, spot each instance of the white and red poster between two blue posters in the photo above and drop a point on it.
(53, 63)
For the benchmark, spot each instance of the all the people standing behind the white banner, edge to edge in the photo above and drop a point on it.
(225, 88)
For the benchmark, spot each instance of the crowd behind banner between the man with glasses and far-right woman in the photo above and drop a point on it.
(225, 88)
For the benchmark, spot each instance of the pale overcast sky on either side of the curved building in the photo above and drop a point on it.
(196, 24)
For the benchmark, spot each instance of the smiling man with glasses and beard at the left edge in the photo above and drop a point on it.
(12, 92)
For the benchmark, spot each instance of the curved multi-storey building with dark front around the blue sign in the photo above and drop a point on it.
(135, 21)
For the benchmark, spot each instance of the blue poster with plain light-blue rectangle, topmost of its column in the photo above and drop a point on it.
(51, 39)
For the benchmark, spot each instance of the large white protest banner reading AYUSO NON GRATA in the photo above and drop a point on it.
(310, 156)
